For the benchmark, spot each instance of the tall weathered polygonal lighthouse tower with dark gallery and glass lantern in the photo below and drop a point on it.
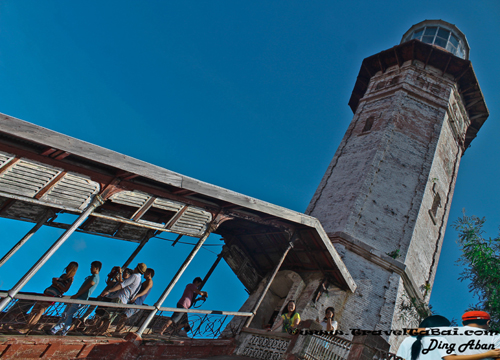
(386, 195)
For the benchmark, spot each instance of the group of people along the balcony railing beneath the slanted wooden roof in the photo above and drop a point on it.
(123, 286)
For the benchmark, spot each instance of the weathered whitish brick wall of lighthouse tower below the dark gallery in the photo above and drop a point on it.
(382, 182)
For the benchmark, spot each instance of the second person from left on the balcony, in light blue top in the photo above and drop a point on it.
(84, 293)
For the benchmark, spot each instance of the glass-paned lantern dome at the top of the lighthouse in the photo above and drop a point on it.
(439, 33)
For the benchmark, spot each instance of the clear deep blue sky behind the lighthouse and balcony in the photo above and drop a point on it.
(251, 96)
